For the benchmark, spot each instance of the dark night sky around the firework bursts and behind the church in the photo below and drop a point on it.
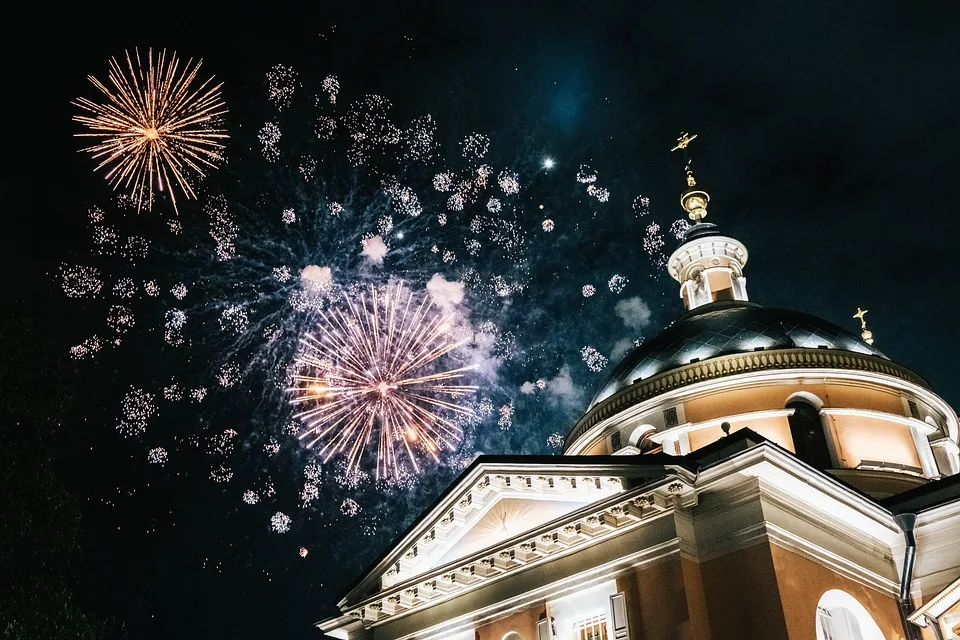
(827, 140)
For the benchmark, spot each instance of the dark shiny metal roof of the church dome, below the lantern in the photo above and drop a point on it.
(726, 327)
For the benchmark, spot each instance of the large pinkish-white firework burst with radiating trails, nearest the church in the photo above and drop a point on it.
(373, 368)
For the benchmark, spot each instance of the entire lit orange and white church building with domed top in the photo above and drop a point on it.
(747, 473)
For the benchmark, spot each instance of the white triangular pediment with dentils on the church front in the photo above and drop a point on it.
(492, 503)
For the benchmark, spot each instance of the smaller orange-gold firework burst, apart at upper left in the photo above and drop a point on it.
(155, 127)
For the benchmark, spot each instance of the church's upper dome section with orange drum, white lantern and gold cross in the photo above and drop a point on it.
(816, 390)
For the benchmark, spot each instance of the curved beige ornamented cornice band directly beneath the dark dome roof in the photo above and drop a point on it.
(737, 364)
